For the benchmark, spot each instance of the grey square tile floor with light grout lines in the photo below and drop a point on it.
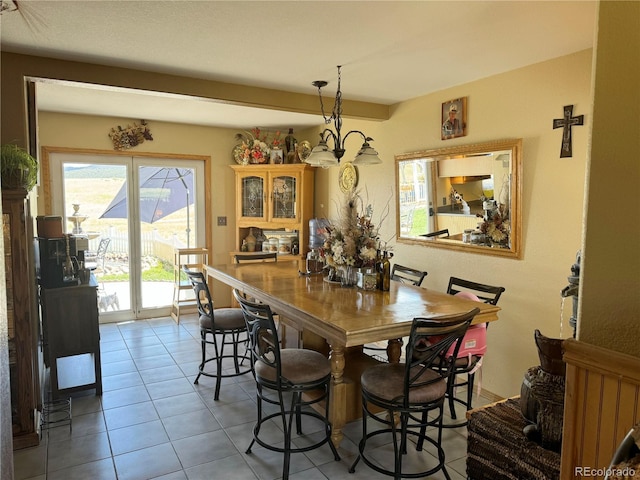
(152, 422)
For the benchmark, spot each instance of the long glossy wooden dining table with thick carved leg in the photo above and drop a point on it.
(344, 319)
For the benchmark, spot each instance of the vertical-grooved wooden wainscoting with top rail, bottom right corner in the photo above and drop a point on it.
(601, 405)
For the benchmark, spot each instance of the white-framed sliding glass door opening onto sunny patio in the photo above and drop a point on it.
(135, 211)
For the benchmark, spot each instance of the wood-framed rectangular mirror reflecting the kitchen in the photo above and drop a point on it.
(464, 198)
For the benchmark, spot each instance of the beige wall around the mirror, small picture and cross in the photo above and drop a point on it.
(517, 104)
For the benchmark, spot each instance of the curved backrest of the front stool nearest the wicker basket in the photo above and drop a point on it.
(427, 361)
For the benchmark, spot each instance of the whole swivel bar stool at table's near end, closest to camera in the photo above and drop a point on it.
(408, 392)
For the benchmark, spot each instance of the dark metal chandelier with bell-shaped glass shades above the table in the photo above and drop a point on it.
(321, 156)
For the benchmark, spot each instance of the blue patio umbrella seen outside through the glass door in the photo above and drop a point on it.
(162, 191)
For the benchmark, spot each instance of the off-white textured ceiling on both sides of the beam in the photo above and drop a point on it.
(390, 50)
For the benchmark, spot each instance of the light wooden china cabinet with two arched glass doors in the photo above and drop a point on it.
(273, 197)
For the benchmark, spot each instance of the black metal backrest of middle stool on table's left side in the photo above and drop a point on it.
(263, 338)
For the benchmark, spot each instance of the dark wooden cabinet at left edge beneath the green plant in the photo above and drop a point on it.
(22, 317)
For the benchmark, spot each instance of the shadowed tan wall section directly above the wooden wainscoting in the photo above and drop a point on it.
(610, 302)
